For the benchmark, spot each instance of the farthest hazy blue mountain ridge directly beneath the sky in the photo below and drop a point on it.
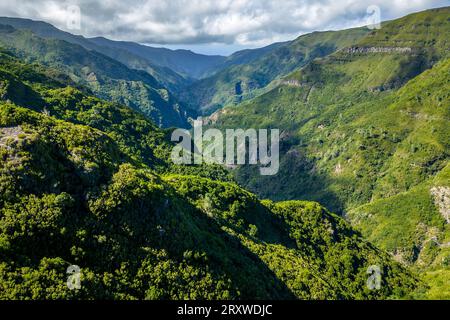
(184, 62)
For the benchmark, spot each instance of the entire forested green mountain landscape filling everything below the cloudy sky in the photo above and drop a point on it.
(86, 177)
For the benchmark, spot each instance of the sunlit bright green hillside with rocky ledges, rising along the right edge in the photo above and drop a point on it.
(365, 131)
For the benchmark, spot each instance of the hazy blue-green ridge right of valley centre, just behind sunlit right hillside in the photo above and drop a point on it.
(243, 81)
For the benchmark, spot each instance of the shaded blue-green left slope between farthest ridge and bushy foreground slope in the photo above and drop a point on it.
(107, 78)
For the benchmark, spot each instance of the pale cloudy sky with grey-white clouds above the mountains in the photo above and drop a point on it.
(208, 26)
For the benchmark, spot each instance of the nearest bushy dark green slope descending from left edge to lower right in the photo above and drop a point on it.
(86, 182)
